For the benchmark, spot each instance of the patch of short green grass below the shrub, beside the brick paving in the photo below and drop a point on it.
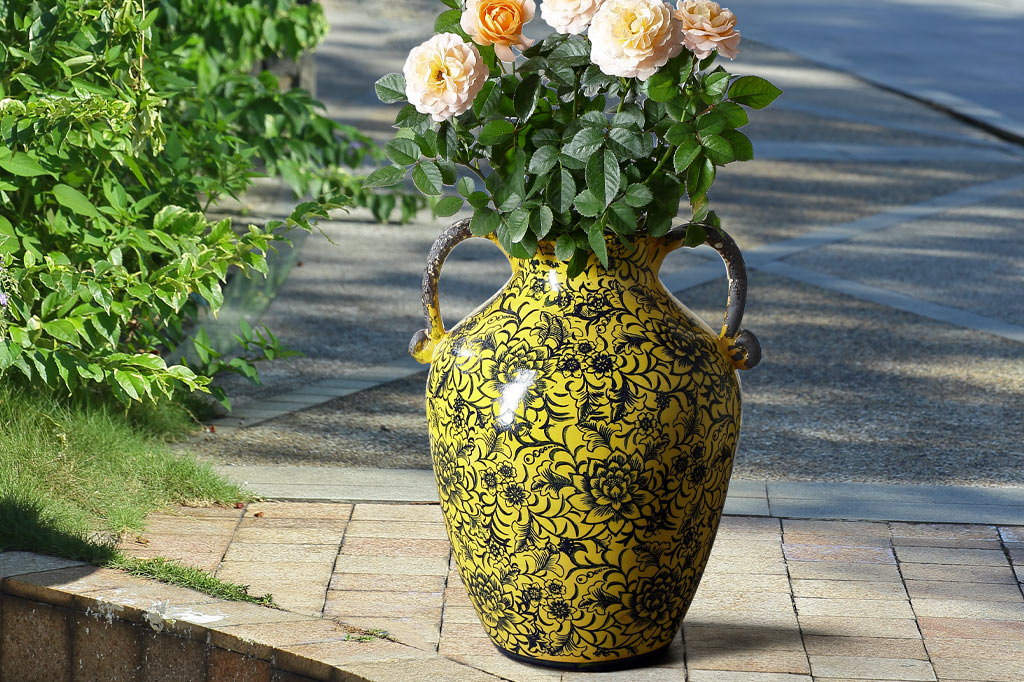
(76, 475)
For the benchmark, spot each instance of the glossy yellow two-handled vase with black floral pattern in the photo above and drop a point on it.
(583, 434)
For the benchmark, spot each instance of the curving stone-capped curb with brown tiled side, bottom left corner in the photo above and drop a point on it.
(76, 620)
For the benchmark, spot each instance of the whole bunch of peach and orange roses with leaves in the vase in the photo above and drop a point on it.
(579, 137)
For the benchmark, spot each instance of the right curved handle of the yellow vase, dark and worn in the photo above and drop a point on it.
(741, 347)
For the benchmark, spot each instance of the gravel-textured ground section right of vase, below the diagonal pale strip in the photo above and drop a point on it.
(850, 391)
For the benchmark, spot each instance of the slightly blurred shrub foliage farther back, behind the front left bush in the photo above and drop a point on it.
(221, 41)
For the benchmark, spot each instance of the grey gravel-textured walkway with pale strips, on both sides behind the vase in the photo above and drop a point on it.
(885, 252)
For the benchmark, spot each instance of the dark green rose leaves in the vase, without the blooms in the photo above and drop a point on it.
(572, 155)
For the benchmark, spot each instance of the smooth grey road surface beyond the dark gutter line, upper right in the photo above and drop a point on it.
(959, 56)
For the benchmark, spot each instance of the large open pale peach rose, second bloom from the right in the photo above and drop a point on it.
(634, 38)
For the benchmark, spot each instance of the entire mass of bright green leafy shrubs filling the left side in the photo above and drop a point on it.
(120, 123)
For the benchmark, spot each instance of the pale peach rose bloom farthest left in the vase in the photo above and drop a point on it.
(444, 75)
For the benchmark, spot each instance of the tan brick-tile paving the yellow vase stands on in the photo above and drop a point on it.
(783, 601)
